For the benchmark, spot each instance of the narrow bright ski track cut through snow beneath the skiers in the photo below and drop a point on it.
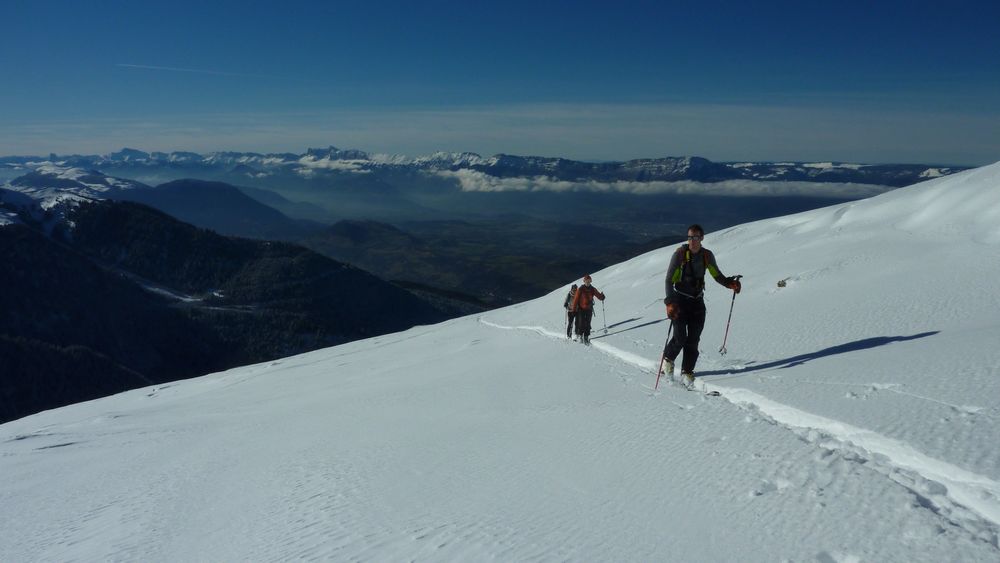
(964, 498)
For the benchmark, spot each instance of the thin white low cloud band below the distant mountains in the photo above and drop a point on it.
(474, 181)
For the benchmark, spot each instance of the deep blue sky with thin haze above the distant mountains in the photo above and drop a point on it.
(889, 82)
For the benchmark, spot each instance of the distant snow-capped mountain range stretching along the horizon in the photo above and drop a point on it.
(331, 160)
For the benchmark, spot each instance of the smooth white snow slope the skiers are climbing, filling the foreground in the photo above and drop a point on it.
(859, 421)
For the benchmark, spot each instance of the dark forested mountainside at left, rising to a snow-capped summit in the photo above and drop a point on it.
(102, 295)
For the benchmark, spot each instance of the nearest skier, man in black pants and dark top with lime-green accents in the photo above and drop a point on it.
(685, 287)
